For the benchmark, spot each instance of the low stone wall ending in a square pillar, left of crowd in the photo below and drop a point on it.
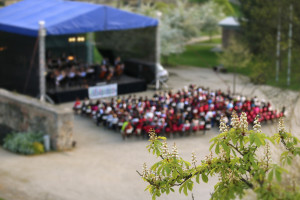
(23, 113)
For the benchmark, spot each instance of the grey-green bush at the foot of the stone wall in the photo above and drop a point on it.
(24, 143)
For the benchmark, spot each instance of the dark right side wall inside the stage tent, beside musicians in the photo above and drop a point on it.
(137, 48)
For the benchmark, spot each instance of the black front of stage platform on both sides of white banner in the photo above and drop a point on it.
(126, 84)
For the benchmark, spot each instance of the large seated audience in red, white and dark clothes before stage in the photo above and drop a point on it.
(188, 110)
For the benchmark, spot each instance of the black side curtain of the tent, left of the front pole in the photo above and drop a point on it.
(19, 63)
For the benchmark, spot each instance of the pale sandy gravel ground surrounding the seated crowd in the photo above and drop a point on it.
(103, 166)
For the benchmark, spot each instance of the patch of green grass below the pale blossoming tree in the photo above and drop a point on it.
(199, 55)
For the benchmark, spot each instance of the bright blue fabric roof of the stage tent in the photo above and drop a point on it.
(67, 17)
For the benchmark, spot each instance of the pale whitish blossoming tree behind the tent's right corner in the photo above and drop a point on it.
(180, 22)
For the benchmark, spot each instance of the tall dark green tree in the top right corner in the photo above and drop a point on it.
(265, 30)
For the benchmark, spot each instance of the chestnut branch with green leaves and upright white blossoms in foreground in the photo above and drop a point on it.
(236, 163)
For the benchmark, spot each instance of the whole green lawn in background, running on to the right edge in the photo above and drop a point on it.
(200, 55)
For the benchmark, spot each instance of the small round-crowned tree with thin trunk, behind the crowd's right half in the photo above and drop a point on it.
(236, 55)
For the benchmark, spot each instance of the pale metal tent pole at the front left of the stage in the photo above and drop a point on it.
(42, 59)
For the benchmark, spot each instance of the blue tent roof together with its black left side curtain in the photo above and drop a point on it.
(19, 32)
